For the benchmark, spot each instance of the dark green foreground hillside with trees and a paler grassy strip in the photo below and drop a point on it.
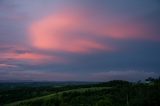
(113, 93)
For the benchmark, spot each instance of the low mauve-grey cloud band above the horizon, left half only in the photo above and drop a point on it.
(36, 75)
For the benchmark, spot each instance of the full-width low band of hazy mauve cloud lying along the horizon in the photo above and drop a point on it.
(65, 76)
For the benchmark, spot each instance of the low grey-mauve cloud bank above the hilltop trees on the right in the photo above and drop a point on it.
(123, 75)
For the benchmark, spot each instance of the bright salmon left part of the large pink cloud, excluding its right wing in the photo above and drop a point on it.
(56, 32)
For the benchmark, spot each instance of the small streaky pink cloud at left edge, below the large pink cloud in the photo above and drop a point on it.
(14, 53)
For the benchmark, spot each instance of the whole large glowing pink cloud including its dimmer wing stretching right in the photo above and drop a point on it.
(65, 31)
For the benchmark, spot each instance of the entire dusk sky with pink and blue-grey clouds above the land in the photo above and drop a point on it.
(79, 40)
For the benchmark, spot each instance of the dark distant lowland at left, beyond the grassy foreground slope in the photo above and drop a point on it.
(16, 91)
